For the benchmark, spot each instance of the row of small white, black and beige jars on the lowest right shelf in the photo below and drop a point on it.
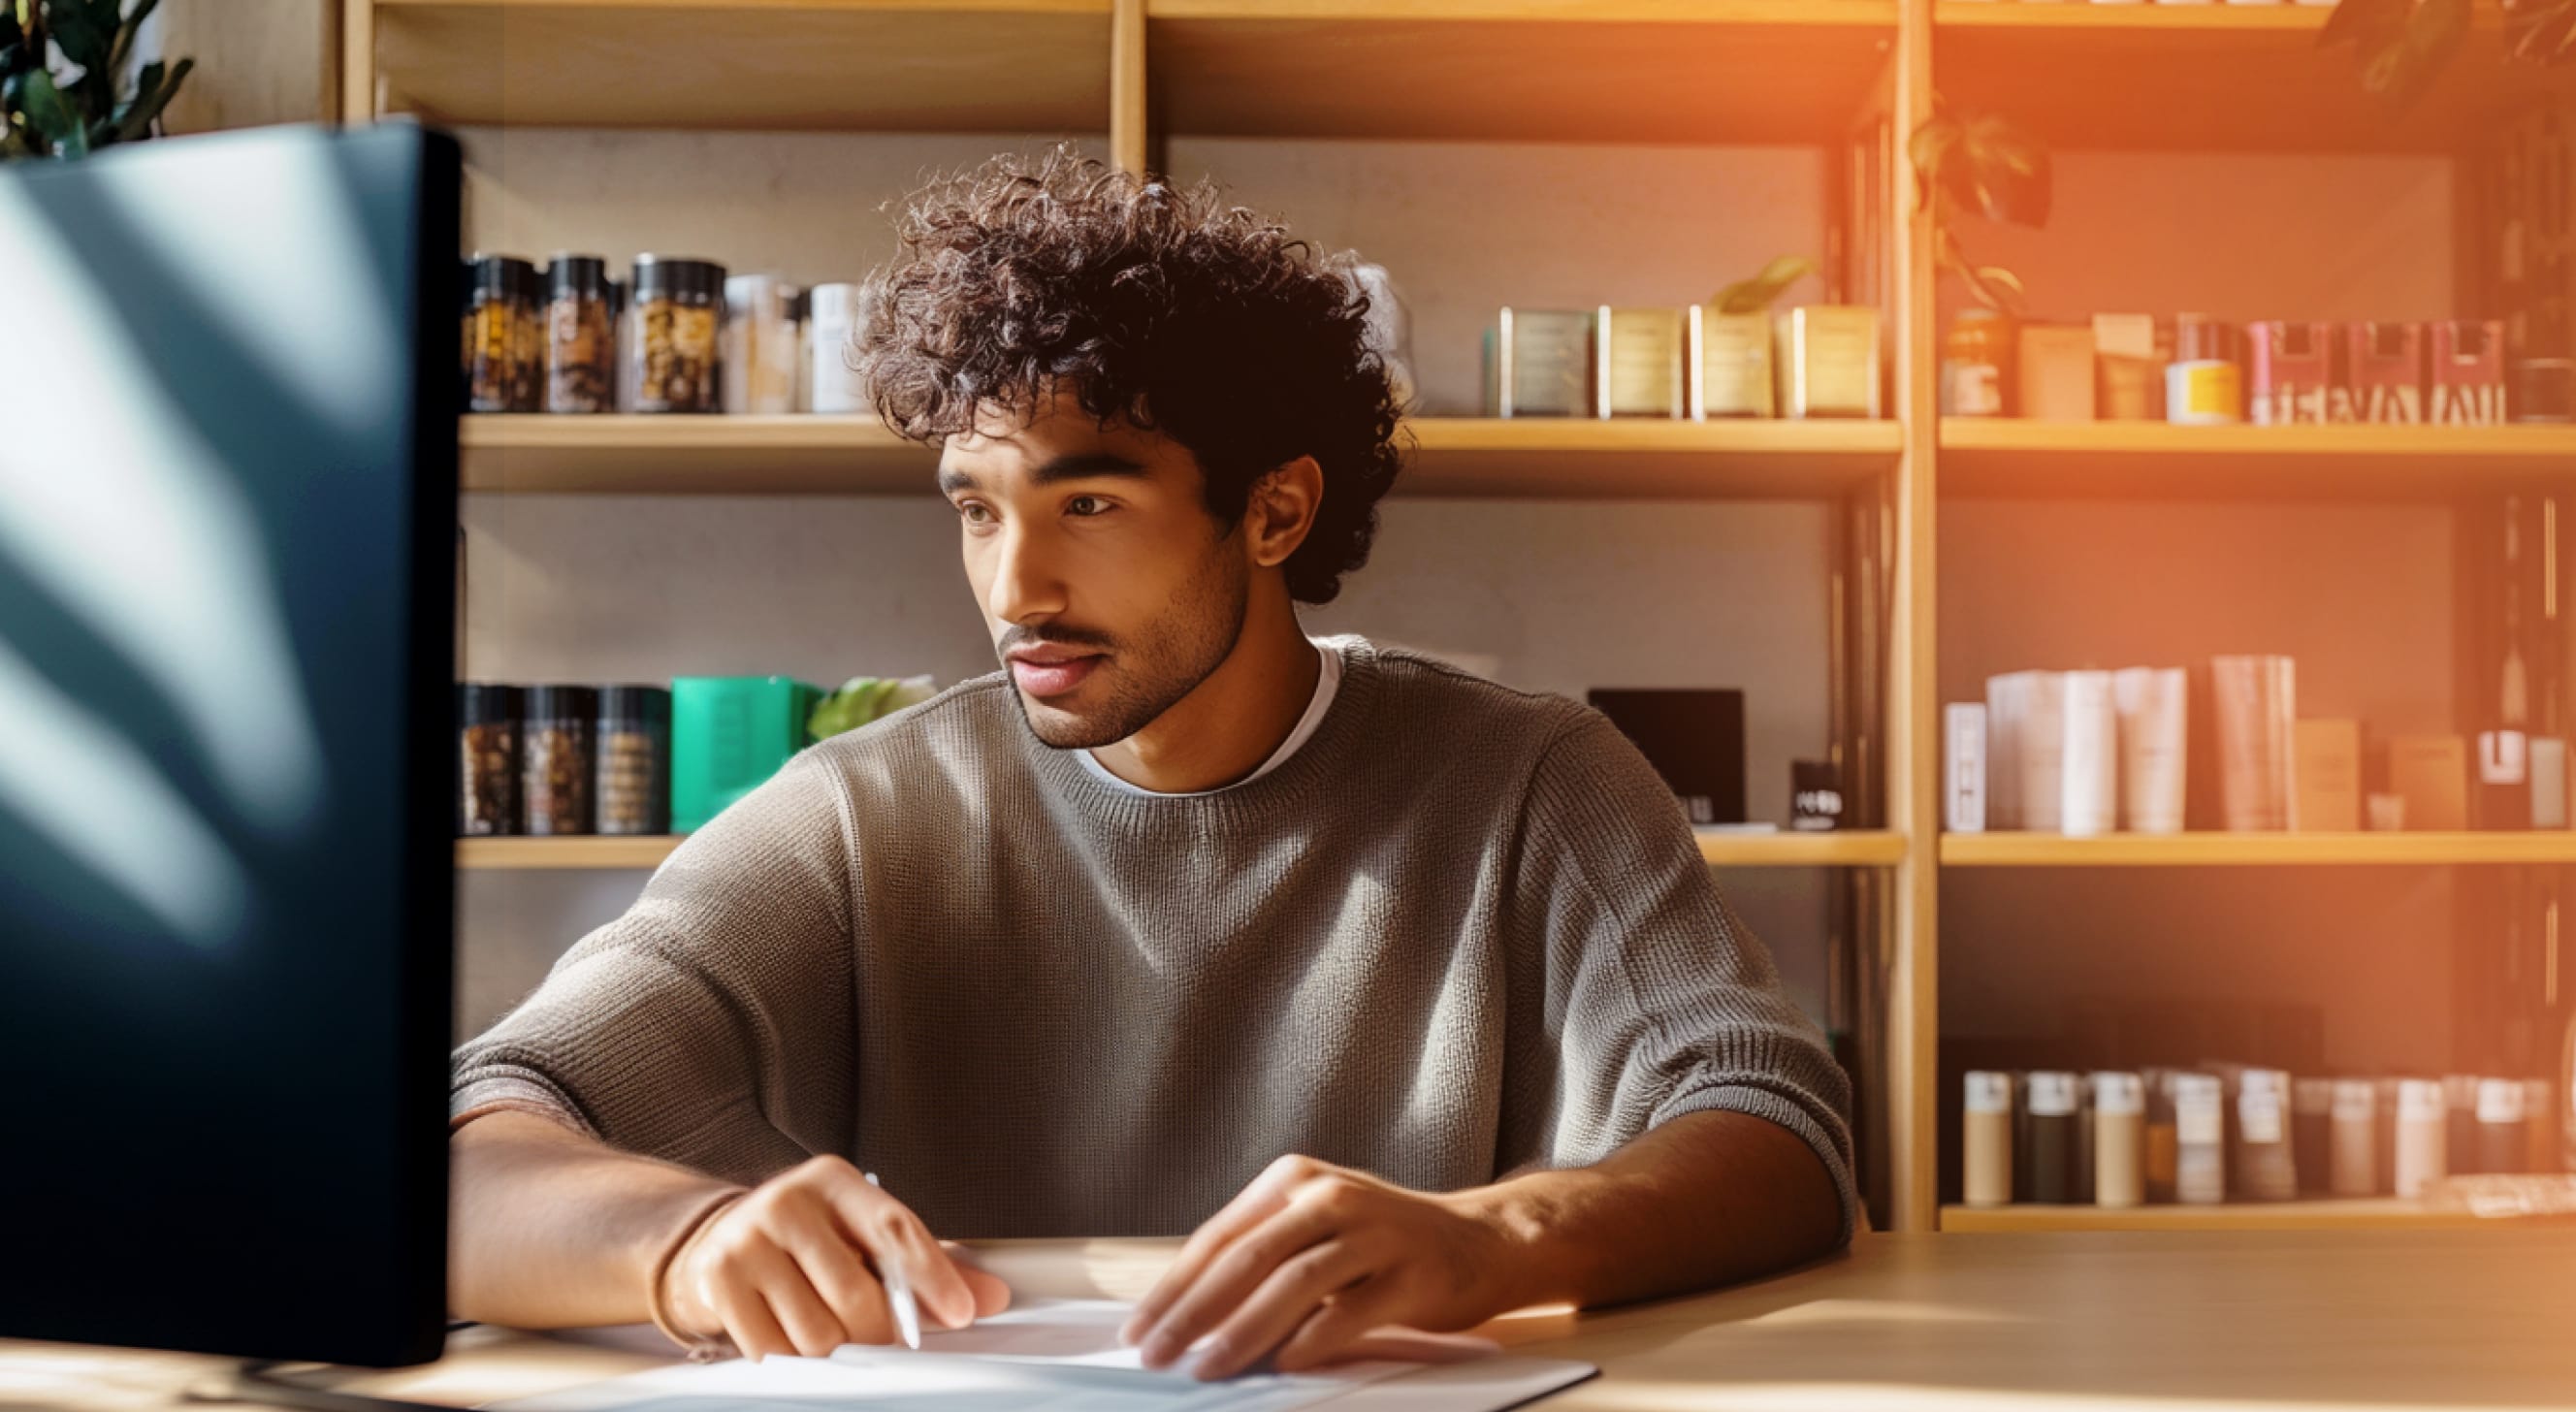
(2242, 1132)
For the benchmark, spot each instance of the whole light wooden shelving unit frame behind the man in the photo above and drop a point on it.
(1823, 73)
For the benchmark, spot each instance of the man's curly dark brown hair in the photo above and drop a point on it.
(1160, 305)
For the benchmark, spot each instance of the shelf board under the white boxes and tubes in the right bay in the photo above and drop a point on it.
(2013, 849)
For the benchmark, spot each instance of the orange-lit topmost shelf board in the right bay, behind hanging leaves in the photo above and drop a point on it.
(2211, 79)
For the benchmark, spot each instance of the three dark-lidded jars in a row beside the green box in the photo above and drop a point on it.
(563, 761)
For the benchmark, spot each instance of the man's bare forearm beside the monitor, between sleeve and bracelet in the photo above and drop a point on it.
(555, 1230)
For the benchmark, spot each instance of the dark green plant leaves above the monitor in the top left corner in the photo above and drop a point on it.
(63, 79)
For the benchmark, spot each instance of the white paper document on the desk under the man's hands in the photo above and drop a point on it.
(1050, 1357)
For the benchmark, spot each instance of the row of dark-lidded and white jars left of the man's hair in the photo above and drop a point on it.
(676, 336)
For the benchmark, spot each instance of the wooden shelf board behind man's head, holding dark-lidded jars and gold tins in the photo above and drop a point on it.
(1454, 457)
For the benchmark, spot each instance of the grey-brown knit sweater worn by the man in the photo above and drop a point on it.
(1462, 931)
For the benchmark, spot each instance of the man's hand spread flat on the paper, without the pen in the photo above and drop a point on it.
(1310, 1259)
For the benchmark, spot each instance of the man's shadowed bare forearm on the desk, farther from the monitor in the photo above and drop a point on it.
(1699, 1202)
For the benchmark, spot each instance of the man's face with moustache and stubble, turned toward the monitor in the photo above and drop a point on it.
(1096, 542)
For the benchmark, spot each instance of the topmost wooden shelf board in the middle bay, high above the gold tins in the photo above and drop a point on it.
(1519, 71)
